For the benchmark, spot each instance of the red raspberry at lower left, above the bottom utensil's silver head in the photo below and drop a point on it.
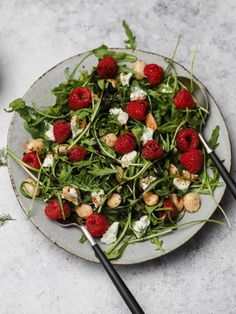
(53, 209)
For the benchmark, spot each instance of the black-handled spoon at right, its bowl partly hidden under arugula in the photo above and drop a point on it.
(200, 95)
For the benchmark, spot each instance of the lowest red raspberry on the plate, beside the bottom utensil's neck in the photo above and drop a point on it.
(97, 225)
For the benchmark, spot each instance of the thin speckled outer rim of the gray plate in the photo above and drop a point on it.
(80, 254)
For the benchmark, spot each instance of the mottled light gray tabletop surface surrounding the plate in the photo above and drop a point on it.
(35, 275)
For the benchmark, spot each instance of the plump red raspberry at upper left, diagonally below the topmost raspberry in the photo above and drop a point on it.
(80, 97)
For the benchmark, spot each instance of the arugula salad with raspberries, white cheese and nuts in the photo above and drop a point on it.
(119, 148)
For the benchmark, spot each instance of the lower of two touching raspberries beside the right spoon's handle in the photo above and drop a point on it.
(192, 161)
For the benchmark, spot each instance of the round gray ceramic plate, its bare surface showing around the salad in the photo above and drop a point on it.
(39, 92)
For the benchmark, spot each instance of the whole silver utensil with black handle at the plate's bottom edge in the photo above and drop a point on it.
(73, 221)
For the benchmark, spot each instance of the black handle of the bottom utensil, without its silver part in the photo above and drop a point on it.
(118, 282)
